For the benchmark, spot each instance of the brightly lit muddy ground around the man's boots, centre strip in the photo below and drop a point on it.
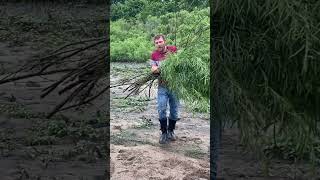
(135, 151)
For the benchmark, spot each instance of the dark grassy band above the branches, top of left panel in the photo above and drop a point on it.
(52, 27)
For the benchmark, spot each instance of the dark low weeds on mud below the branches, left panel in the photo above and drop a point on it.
(49, 131)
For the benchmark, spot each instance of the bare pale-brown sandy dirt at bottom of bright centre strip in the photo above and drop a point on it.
(149, 162)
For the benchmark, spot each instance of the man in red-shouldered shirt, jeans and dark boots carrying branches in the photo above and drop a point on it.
(164, 94)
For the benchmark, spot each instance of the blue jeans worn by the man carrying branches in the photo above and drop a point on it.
(165, 96)
